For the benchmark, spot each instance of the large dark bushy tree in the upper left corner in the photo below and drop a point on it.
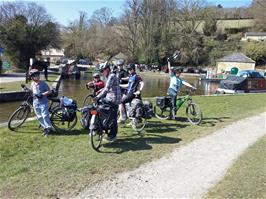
(25, 29)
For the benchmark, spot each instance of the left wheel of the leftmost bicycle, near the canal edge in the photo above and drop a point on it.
(18, 117)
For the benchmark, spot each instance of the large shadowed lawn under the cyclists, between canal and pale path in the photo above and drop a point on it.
(62, 165)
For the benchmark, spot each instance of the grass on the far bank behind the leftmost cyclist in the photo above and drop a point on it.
(15, 86)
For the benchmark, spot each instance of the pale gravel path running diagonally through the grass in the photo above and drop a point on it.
(187, 172)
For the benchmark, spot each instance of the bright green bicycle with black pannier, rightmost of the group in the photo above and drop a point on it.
(163, 107)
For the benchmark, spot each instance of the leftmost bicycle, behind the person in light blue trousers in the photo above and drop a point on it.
(20, 115)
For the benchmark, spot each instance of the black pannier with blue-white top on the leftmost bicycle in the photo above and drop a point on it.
(70, 108)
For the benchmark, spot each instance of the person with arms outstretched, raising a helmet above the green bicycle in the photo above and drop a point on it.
(175, 84)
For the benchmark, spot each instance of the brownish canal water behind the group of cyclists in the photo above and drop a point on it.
(156, 84)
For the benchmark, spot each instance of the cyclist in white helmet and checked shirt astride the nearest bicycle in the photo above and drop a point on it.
(110, 94)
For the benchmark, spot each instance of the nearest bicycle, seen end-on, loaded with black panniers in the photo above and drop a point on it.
(100, 122)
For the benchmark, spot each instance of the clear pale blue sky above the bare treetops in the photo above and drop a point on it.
(65, 11)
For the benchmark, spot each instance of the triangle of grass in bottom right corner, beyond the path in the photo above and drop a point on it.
(247, 177)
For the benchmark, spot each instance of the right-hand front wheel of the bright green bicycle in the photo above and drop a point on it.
(194, 113)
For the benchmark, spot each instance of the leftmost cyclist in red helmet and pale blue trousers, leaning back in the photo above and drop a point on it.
(40, 92)
